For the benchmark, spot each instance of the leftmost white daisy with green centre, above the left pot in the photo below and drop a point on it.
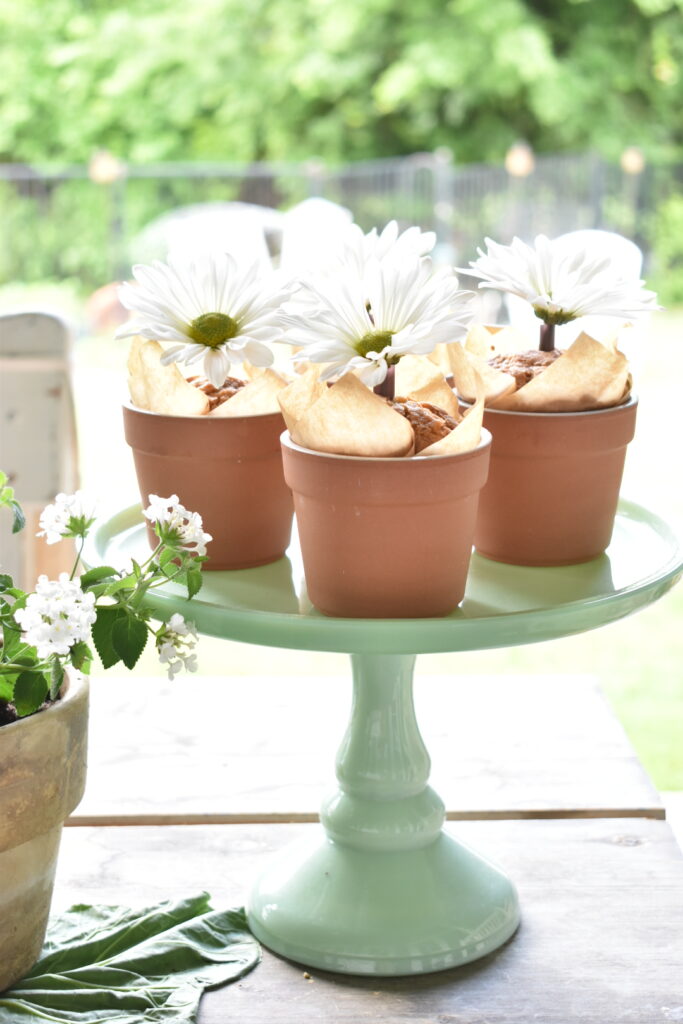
(216, 310)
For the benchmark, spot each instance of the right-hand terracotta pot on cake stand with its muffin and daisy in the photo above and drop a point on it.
(561, 420)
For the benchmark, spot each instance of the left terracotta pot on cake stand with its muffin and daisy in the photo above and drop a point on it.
(214, 440)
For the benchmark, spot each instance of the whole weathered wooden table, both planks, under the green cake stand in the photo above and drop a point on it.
(600, 874)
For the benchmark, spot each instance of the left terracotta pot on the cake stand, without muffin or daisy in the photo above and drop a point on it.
(229, 470)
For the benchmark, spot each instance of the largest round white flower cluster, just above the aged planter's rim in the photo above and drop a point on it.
(57, 616)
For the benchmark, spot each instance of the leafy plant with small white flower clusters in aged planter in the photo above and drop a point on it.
(45, 660)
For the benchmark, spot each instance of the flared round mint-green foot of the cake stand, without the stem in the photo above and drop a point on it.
(370, 913)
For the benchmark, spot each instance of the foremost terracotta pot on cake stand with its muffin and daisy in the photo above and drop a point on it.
(386, 483)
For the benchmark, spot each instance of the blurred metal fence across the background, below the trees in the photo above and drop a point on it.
(86, 225)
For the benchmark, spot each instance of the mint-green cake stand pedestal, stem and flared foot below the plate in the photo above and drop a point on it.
(381, 889)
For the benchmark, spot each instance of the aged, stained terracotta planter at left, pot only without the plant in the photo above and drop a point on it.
(42, 778)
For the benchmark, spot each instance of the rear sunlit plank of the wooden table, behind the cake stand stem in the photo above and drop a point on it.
(502, 748)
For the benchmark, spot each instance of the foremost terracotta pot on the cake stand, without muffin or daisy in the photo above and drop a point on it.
(386, 538)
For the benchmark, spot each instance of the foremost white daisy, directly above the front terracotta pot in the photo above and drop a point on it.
(369, 323)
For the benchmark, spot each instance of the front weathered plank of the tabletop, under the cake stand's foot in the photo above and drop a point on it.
(602, 941)
